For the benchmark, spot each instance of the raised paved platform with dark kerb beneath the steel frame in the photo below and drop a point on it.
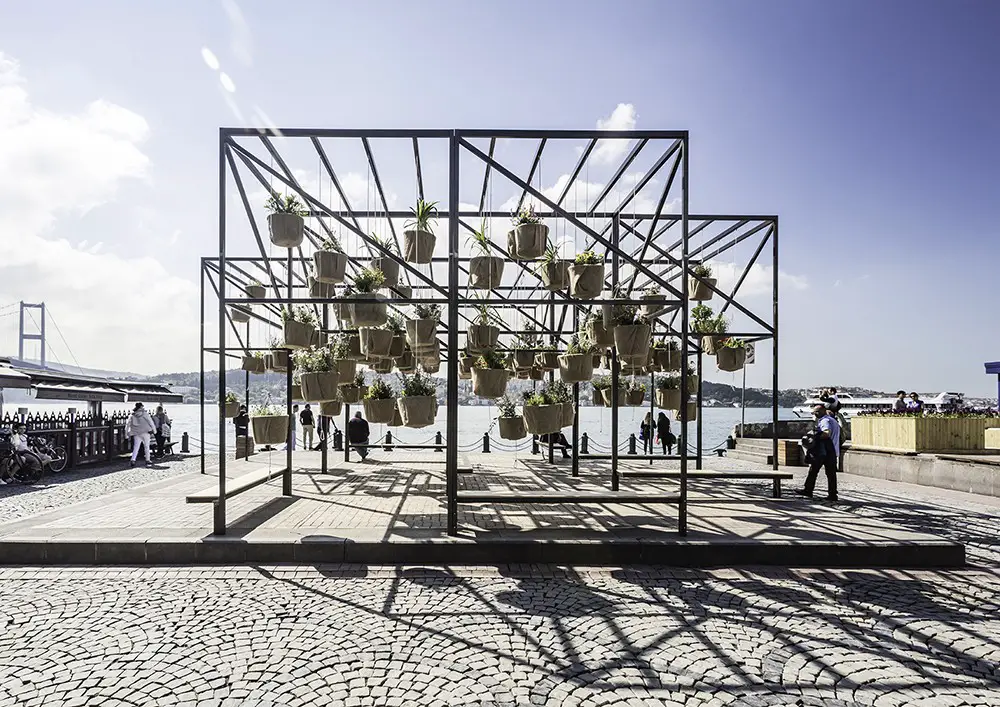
(392, 510)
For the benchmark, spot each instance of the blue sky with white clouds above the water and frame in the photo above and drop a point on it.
(870, 129)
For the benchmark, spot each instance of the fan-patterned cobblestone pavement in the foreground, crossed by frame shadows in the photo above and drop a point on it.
(530, 635)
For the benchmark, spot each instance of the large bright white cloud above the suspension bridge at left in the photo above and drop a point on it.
(115, 310)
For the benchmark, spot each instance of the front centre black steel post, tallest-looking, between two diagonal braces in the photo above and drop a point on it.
(451, 456)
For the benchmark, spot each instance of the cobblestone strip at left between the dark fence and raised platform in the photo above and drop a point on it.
(76, 485)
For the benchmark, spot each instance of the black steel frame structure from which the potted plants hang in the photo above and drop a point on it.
(650, 247)
